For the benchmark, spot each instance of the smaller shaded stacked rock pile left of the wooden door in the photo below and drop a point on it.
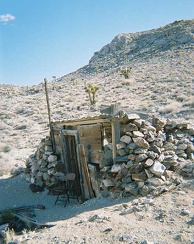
(43, 168)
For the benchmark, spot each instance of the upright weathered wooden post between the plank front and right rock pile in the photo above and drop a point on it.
(115, 125)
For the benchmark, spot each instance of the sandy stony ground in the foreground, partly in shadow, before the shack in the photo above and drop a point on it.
(168, 218)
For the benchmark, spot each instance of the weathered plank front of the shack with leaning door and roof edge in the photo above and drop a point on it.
(80, 144)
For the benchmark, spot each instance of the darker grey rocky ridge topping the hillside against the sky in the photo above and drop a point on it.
(131, 48)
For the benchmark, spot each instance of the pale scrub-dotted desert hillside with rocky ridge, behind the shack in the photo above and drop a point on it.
(160, 81)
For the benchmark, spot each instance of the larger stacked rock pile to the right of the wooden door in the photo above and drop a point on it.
(148, 154)
